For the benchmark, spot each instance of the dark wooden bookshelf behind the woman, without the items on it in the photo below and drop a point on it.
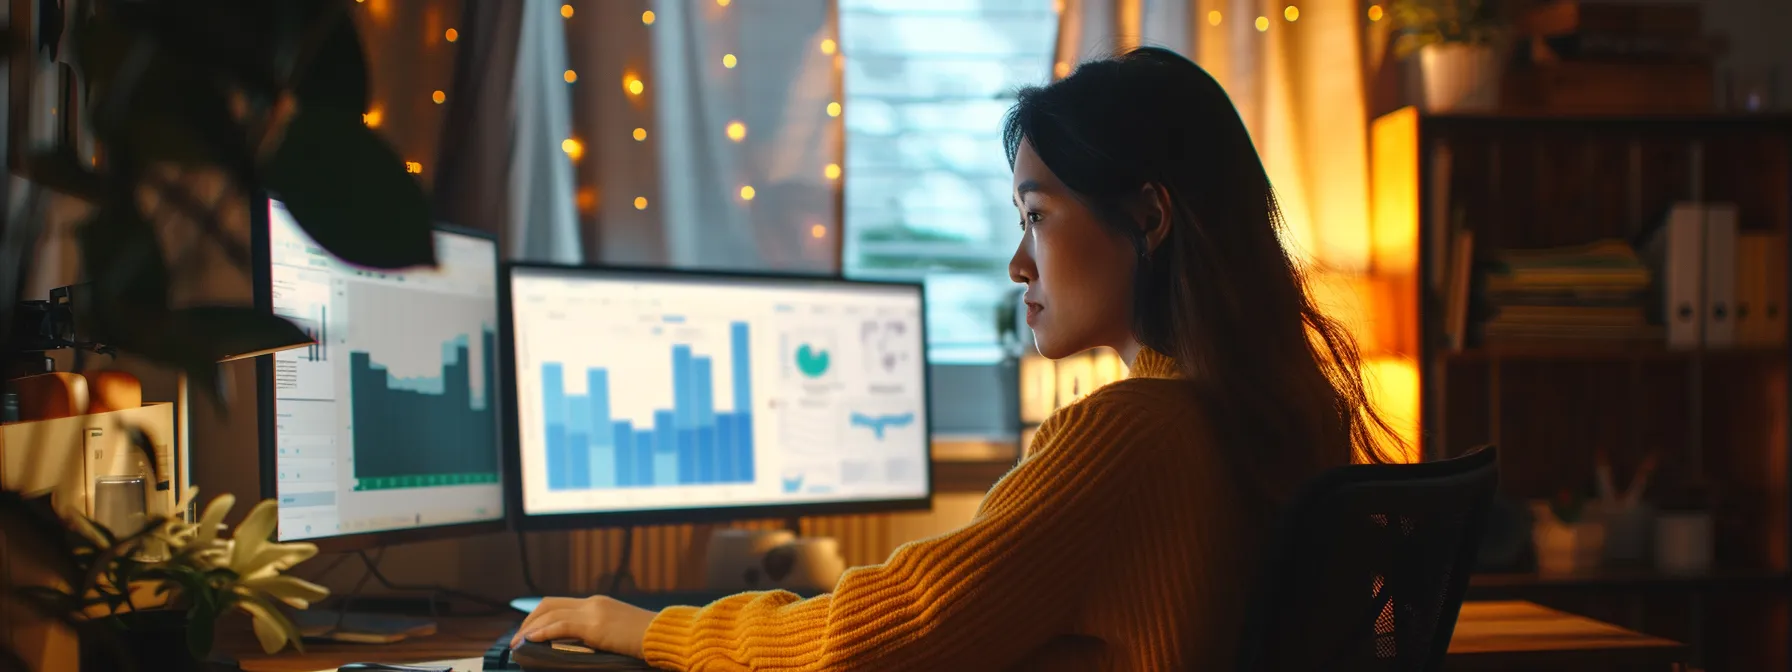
(1716, 418)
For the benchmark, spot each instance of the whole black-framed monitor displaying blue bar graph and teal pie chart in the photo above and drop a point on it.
(657, 397)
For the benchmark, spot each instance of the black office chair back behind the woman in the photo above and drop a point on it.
(1370, 567)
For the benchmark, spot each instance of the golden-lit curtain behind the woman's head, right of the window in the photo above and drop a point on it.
(1295, 73)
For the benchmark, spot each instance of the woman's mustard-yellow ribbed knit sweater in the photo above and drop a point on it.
(1117, 544)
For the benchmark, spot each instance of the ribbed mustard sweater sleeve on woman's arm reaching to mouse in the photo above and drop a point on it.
(979, 598)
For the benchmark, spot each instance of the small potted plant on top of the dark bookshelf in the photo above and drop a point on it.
(1460, 51)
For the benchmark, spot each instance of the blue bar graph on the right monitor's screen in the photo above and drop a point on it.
(687, 444)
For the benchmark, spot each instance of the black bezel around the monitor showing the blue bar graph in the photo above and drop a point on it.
(542, 522)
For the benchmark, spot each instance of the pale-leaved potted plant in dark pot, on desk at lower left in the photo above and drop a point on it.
(164, 587)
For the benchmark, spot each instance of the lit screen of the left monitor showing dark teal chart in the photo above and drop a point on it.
(388, 422)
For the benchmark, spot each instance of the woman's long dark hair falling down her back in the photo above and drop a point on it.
(1219, 293)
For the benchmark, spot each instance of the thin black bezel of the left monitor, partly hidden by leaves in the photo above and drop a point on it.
(264, 392)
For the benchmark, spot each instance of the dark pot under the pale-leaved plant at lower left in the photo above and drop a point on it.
(144, 641)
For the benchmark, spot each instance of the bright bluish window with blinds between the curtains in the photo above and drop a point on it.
(927, 184)
